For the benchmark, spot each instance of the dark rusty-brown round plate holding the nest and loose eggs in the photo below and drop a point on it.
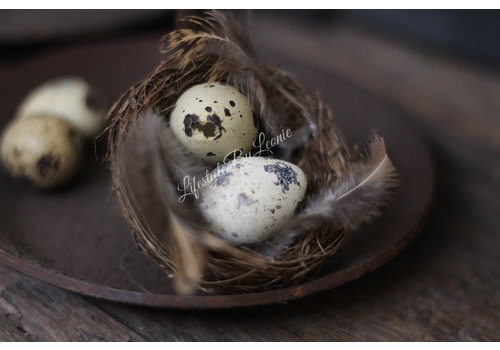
(77, 239)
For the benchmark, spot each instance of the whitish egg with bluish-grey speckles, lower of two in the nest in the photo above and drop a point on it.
(251, 198)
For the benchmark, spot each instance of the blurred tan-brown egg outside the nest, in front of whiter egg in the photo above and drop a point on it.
(42, 149)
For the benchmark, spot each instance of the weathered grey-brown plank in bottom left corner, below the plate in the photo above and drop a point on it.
(35, 311)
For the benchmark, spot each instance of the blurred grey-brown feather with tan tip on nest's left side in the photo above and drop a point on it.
(145, 161)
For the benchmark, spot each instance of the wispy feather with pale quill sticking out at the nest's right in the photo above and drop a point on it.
(354, 200)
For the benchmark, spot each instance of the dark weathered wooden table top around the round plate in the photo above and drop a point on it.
(445, 286)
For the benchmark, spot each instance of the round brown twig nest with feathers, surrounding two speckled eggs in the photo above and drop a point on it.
(344, 189)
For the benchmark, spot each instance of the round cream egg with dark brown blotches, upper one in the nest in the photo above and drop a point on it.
(214, 120)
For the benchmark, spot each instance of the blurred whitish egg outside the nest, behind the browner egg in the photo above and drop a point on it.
(70, 98)
